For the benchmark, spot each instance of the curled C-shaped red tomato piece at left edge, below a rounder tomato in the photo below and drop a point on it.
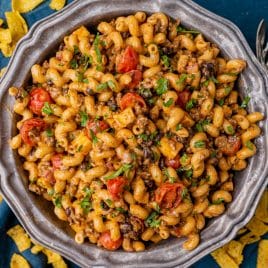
(29, 125)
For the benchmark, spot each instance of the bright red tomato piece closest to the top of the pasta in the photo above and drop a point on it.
(127, 61)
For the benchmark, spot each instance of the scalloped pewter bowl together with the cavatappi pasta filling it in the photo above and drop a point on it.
(139, 130)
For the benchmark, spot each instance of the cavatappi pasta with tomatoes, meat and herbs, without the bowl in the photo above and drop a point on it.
(134, 131)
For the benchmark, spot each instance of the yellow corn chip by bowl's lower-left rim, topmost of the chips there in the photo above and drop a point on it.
(20, 238)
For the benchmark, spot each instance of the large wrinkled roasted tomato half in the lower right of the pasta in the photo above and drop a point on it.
(168, 195)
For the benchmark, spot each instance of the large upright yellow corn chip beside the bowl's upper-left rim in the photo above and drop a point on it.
(16, 25)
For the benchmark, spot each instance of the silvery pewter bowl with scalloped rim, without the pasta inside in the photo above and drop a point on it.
(36, 214)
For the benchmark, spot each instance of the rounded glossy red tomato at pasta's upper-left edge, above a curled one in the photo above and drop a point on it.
(38, 97)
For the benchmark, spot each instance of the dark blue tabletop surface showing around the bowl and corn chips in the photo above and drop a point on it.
(245, 14)
